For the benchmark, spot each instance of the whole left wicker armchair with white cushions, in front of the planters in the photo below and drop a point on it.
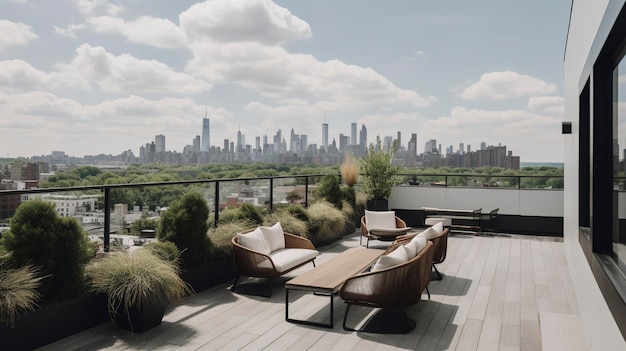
(268, 252)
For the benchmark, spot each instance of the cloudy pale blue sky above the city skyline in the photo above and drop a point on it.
(92, 77)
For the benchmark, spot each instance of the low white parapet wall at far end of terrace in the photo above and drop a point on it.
(524, 202)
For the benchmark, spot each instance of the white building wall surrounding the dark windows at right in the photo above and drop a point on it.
(601, 331)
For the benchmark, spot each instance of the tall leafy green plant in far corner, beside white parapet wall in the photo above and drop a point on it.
(380, 175)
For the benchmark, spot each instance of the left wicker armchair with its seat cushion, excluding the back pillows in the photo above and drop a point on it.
(297, 252)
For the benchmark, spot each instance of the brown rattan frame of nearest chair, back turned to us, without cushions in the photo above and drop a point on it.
(396, 287)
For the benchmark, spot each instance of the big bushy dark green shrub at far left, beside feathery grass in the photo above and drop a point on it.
(58, 246)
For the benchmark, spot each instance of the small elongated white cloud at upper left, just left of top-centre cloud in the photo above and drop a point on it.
(146, 30)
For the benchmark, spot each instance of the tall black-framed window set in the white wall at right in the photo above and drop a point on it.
(606, 251)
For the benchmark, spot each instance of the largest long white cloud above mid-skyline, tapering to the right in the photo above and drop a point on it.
(279, 75)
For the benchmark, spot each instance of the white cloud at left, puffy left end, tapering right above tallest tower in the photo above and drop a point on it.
(127, 74)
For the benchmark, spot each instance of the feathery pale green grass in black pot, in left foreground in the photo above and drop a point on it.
(139, 285)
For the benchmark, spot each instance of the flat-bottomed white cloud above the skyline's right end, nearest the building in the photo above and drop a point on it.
(506, 85)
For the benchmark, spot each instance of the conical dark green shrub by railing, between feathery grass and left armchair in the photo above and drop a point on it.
(185, 224)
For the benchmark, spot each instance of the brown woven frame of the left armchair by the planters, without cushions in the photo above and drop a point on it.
(254, 264)
